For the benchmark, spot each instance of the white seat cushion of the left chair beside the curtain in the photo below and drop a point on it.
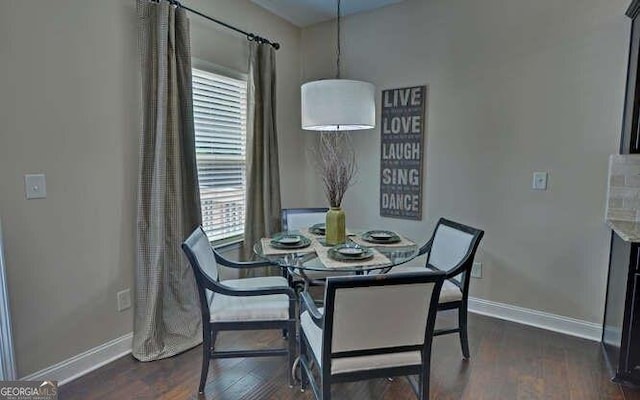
(251, 308)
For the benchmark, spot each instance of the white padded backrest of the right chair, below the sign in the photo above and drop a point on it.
(454, 243)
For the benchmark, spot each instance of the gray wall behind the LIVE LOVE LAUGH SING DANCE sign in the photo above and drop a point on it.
(515, 87)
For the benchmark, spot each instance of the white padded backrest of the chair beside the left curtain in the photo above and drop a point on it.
(203, 262)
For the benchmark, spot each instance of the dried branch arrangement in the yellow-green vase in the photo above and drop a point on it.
(335, 161)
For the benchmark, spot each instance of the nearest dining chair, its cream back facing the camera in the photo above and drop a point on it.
(366, 330)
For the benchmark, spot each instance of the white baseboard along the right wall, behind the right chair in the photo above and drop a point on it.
(539, 319)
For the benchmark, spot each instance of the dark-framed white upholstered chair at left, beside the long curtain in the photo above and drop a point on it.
(238, 304)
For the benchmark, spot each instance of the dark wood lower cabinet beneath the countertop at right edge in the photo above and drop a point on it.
(621, 331)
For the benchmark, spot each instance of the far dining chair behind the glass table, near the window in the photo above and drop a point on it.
(293, 219)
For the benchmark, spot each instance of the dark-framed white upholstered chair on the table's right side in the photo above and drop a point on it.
(452, 248)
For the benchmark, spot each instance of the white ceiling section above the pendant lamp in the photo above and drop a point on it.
(308, 12)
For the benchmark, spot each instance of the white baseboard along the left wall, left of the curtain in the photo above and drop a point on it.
(83, 363)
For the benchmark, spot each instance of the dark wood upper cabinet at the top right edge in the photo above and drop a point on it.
(630, 142)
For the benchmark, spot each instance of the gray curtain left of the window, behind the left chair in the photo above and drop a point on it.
(167, 312)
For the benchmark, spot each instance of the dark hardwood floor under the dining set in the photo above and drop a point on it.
(508, 361)
